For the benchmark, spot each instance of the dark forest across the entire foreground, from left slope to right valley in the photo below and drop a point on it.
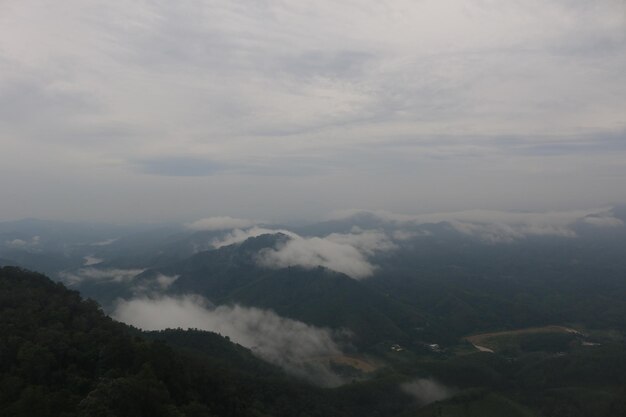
(61, 355)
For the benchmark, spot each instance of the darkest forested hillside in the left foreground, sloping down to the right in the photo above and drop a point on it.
(60, 356)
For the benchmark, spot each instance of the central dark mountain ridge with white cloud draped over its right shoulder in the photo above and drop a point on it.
(318, 296)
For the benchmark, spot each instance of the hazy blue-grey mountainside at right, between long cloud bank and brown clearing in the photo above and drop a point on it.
(465, 285)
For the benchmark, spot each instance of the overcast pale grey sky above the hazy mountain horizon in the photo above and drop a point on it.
(177, 110)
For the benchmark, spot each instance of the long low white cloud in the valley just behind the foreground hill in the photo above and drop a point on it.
(287, 343)
